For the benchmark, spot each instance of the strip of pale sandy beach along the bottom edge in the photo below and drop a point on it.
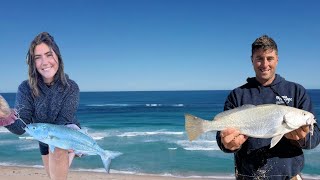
(28, 173)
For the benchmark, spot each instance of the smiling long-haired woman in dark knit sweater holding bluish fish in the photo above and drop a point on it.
(48, 96)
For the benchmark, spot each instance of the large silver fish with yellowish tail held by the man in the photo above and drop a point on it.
(262, 121)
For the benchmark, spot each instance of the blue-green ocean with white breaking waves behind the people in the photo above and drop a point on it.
(148, 128)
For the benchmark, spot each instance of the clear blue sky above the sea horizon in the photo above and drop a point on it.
(129, 45)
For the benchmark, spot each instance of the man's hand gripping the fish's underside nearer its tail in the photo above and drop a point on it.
(232, 139)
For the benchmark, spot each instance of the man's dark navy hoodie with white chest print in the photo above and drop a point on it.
(255, 160)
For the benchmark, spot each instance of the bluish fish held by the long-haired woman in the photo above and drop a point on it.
(67, 138)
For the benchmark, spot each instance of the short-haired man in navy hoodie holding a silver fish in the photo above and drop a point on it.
(253, 157)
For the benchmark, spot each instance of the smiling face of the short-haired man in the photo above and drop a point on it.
(264, 63)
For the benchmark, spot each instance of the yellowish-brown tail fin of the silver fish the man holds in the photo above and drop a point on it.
(195, 126)
